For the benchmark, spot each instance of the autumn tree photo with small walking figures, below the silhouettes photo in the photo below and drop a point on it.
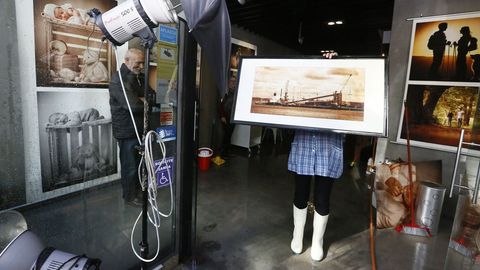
(436, 114)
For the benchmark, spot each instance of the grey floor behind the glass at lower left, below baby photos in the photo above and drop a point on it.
(96, 223)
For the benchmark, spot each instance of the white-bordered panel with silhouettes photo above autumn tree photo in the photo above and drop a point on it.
(443, 81)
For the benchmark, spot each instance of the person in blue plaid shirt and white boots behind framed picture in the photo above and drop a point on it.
(317, 155)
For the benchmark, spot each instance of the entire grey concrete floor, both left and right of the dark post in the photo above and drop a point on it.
(244, 221)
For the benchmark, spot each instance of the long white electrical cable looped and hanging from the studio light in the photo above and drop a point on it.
(151, 183)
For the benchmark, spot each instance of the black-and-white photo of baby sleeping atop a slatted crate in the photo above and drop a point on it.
(76, 141)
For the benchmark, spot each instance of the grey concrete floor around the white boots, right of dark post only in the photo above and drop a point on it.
(245, 222)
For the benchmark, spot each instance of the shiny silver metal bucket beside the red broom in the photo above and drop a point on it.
(429, 205)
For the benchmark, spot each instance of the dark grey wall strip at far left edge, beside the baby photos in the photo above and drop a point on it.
(12, 173)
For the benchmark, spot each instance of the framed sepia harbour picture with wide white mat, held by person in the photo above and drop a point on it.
(344, 95)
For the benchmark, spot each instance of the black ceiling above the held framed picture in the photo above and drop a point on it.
(281, 21)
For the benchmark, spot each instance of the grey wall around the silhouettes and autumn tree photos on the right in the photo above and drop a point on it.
(399, 55)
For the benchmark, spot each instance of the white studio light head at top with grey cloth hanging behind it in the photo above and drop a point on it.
(207, 20)
